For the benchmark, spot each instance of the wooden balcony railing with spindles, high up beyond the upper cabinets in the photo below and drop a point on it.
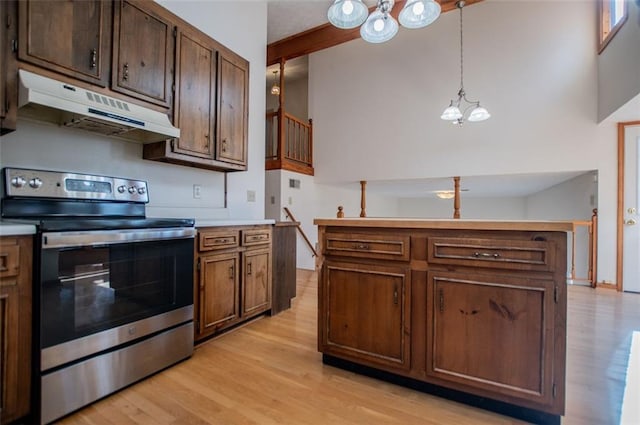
(289, 143)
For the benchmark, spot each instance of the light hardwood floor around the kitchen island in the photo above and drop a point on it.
(269, 372)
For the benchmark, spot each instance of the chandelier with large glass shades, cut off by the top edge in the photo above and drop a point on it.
(380, 26)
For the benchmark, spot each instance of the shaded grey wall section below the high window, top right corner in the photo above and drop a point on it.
(619, 66)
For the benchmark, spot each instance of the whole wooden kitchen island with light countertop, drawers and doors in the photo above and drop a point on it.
(472, 310)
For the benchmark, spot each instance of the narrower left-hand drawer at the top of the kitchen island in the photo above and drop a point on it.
(385, 246)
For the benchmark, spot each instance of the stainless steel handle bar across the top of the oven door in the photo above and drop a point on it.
(51, 240)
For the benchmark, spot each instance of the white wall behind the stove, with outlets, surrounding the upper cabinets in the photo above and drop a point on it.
(171, 186)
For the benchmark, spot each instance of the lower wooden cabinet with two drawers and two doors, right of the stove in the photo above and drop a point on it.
(233, 279)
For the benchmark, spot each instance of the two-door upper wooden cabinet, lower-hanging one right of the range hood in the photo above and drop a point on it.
(211, 106)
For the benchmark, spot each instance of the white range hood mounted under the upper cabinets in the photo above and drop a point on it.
(45, 99)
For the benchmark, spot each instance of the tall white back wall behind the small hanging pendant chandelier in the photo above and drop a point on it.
(376, 108)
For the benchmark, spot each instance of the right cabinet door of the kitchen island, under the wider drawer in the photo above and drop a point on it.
(493, 334)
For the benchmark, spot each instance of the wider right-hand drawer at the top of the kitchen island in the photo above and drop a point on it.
(504, 254)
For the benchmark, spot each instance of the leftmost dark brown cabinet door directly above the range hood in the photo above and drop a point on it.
(71, 37)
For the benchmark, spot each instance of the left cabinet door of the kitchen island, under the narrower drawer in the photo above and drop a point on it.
(365, 313)
